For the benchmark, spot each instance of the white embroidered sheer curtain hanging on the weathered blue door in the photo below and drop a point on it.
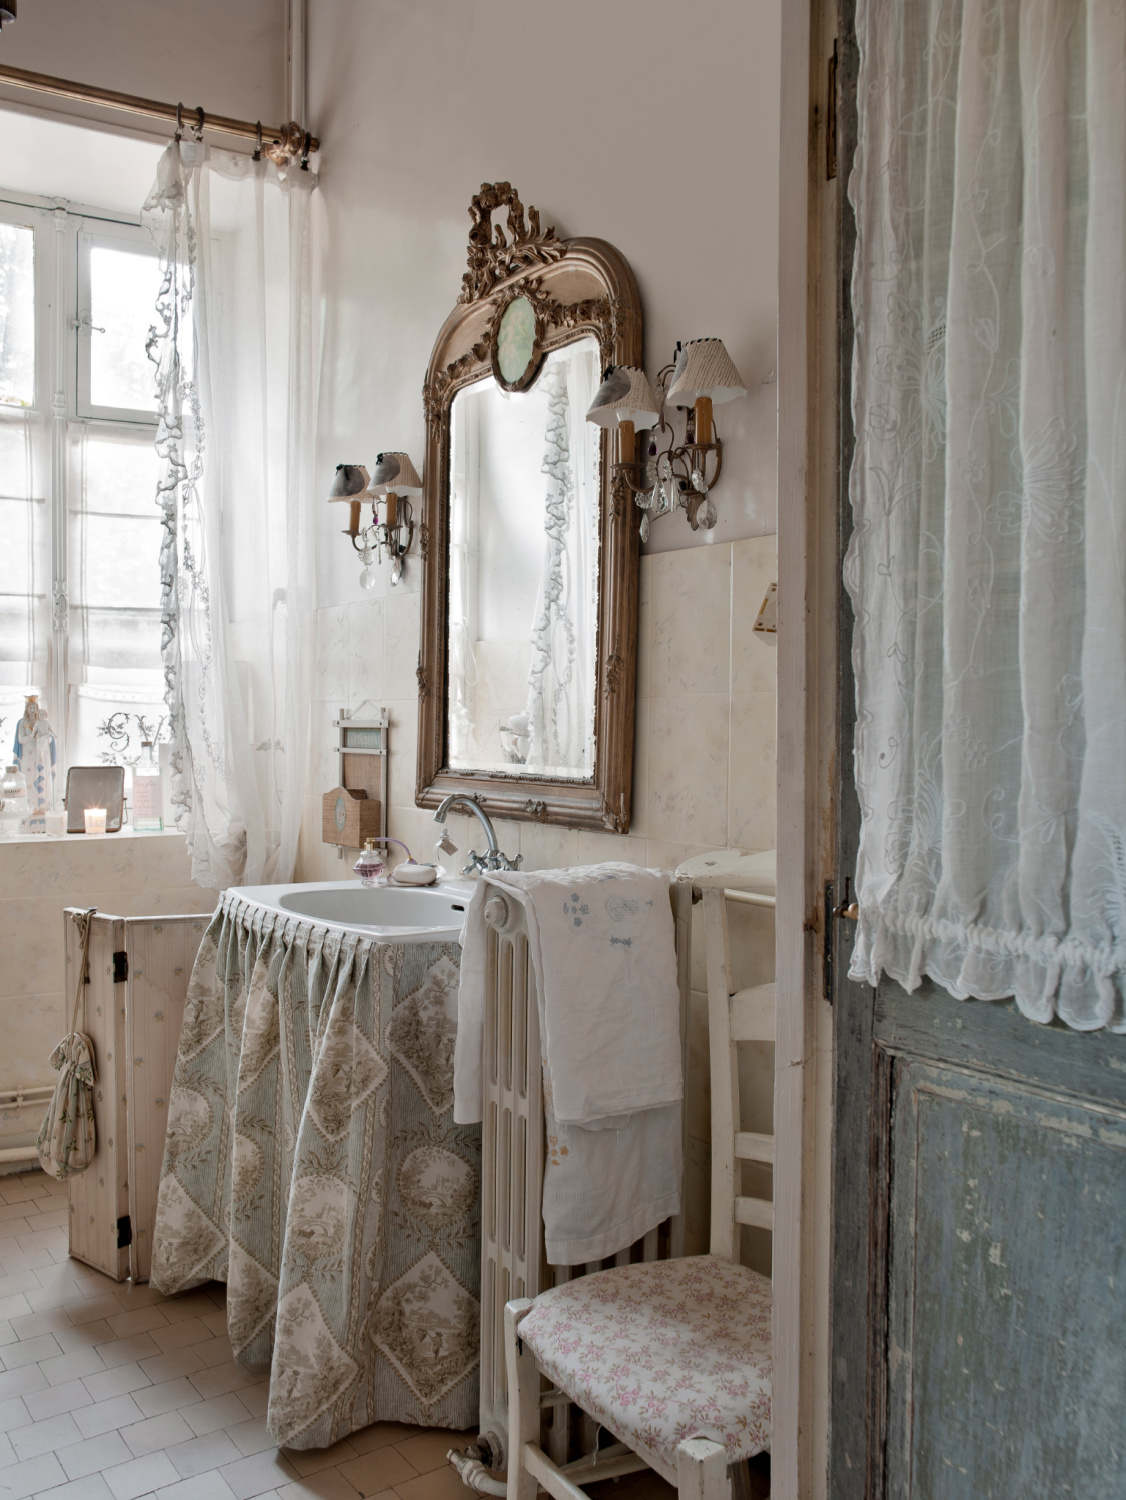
(989, 562)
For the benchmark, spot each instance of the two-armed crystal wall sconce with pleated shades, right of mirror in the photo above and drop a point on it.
(702, 376)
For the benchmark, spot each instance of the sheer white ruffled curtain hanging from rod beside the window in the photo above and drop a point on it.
(238, 370)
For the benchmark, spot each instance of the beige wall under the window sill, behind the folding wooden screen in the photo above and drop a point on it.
(122, 875)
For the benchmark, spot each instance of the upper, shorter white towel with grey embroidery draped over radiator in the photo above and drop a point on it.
(602, 946)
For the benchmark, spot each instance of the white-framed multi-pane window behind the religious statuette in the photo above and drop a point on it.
(80, 530)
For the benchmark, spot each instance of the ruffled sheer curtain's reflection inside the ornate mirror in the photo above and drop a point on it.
(562, 677)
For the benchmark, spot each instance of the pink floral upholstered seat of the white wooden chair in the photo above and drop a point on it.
(662, 1352)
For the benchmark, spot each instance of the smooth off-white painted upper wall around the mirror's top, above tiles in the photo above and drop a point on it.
(647, 124)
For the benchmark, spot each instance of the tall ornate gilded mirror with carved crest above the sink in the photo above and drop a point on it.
(530, 566)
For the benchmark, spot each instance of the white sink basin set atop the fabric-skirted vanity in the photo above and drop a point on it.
(383, 911)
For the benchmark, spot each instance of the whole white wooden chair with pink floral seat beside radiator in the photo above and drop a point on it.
(671, 1357)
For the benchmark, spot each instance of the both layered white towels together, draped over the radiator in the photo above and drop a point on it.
(602, 946)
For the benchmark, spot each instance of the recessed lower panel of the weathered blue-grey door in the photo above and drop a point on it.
(1007, 1288)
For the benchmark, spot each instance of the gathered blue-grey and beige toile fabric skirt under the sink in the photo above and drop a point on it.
(314, 1166)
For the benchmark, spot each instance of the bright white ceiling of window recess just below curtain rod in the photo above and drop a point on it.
(97, 169)
